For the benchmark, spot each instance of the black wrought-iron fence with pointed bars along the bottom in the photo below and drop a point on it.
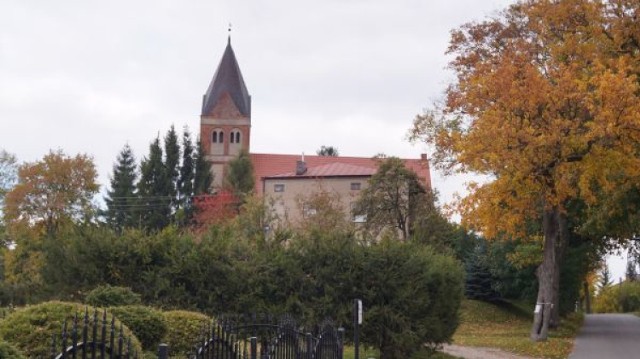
(230, 337)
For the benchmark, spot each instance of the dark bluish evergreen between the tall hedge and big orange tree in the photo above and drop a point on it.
(479, 280)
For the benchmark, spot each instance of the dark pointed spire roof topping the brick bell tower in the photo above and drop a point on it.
(227, 79)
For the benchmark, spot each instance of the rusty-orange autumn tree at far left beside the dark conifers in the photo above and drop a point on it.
(52, 191)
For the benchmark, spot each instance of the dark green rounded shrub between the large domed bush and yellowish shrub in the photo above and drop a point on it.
(148, 324)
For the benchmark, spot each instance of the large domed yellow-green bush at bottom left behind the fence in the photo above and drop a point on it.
(30, 329)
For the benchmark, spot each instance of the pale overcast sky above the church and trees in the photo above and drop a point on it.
(90, 76)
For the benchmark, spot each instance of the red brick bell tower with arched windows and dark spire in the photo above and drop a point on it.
(225, 122)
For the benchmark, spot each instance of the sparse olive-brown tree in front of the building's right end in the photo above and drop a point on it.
(392, 199)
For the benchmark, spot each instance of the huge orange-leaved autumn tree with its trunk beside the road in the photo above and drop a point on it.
(545, 105)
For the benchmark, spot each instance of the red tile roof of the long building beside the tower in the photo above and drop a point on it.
(275, 165)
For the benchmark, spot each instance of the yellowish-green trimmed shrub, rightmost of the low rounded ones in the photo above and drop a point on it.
(184, 331)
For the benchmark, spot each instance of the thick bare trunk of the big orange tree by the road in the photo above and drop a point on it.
(548, 274)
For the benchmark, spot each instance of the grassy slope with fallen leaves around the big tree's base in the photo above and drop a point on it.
(507, 327)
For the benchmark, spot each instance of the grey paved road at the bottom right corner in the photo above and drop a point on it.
(608, 336)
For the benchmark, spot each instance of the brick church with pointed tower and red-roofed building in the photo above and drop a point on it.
(225, 130)
